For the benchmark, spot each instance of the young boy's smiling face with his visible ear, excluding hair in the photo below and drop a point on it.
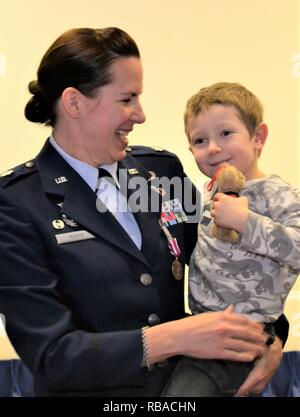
(217, 136)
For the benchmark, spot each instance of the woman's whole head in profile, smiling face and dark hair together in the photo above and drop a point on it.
(88, 88)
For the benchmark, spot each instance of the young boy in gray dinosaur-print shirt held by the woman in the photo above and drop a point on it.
(224, 125)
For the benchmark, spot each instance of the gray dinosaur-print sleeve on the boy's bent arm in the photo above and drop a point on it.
(276, 236)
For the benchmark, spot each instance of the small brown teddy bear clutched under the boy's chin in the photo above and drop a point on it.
(229, 181)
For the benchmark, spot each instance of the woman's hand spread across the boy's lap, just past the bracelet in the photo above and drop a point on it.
(212, 335)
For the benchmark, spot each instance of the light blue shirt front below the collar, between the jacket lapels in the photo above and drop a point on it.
(115, 201)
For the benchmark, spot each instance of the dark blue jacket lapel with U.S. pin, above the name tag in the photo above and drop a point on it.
(79, 200)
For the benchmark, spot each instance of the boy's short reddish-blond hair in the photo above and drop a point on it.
(248, 106)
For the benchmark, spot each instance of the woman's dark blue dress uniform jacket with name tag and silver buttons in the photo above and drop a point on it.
(74, 311)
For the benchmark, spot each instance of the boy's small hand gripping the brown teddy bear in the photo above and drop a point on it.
(230, 212)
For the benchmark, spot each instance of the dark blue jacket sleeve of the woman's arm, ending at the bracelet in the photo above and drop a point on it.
(40, 324)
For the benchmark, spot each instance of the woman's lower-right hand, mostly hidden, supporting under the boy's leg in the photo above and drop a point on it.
(264, 369)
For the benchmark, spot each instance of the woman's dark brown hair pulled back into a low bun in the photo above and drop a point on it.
(79, 58)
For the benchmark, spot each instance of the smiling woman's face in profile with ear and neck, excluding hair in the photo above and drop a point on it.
(98, 125)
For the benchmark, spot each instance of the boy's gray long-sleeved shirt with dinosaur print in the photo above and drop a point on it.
(257, 273)
